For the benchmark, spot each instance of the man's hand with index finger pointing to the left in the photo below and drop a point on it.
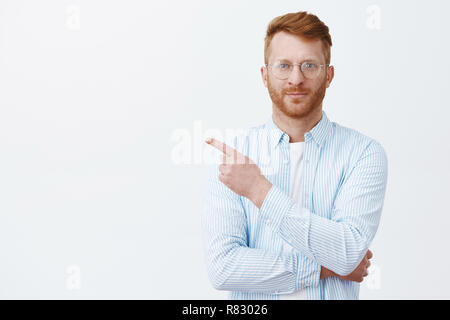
(241, 174)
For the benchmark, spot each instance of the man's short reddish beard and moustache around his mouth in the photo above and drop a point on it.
(297, 108)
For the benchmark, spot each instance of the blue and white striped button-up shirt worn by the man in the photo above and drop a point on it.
(342, 193)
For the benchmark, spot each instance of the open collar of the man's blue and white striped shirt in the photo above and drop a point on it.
(318, 134)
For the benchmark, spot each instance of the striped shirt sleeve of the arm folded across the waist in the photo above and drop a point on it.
(231, 264)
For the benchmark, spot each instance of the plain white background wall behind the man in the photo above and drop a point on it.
(95, 95)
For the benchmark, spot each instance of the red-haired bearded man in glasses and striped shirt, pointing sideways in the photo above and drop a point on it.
(293, 208)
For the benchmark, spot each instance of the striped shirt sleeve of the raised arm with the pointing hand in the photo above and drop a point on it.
(341, 242)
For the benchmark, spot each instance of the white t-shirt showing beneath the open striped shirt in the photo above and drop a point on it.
(296, 158)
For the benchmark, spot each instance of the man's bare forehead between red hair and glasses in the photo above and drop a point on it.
(295, 48)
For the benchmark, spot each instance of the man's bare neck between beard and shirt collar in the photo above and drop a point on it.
(296, 128)
